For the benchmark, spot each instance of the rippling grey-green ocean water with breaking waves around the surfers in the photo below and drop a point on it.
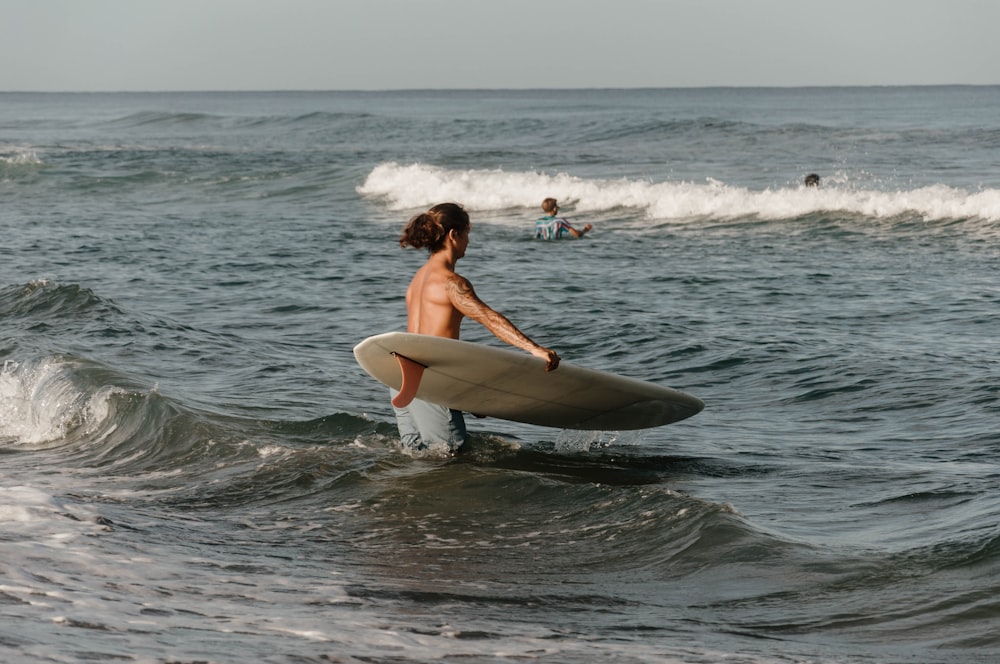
(194, 469)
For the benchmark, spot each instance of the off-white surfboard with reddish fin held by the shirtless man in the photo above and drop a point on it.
(514, 385)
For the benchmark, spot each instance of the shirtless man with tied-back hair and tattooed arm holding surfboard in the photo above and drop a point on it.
(437, 300)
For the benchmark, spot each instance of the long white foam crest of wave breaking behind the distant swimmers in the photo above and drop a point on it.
(416, 186)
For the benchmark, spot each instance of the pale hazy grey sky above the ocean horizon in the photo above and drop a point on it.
(391, 44)
